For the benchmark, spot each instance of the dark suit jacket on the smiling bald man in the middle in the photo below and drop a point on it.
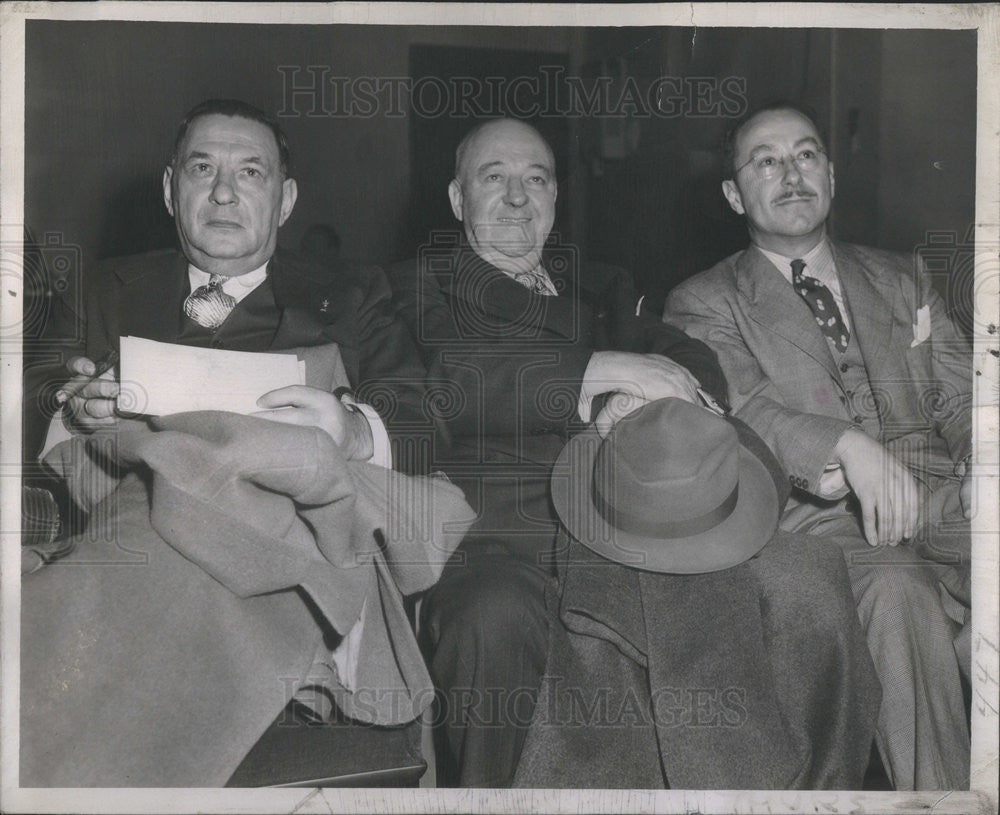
(505, 367)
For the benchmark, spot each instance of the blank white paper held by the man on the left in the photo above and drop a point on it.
(160, 378)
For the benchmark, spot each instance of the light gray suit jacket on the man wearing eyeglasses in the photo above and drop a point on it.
(784, 382)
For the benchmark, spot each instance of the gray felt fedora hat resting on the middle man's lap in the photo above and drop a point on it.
(669, 489)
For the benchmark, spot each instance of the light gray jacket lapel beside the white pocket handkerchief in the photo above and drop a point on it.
(872, 320)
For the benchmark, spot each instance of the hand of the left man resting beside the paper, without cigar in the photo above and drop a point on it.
(311, 407)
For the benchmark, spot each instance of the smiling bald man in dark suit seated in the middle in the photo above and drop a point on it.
(521, 350)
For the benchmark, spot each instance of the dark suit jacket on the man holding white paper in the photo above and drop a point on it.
(300, 304)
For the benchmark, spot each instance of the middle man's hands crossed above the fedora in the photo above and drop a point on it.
(634, 379)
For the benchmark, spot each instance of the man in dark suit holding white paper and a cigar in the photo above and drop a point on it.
(228, 188)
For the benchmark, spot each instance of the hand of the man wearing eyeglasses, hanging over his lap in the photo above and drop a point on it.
(888, 494)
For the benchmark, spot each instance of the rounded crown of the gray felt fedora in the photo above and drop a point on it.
(665, 464)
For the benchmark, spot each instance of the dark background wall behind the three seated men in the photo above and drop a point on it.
(103, 100)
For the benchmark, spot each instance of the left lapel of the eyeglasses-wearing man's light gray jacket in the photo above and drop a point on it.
(776, 307)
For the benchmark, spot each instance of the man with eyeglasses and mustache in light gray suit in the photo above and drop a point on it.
(845, 361)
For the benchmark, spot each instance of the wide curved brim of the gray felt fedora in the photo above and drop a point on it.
(739, 537)
